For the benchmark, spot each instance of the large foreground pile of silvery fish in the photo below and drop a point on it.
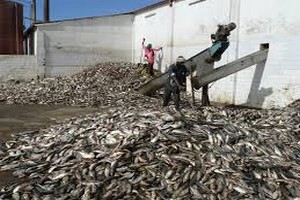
(144, 153)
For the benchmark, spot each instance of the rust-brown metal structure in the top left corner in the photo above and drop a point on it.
(11, 28)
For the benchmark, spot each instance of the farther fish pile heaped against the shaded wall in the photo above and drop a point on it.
(98, 85)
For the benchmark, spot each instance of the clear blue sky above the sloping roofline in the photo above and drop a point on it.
(68, 9)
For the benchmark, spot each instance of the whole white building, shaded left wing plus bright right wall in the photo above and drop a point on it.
(184, 28)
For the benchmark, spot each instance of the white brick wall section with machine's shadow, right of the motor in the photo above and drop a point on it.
(277, 83)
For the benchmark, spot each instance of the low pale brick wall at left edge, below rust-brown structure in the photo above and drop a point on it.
(17, 67)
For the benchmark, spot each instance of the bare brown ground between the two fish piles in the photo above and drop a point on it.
(19, 118)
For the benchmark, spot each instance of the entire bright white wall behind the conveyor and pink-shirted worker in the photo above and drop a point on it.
(185, 28)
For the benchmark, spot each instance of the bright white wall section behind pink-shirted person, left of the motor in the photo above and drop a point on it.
(182, 29)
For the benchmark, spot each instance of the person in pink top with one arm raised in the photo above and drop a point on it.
(149, 53)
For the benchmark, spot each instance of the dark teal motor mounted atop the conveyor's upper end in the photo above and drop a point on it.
(220, 41)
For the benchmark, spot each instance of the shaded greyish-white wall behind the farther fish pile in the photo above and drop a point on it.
(67, 47)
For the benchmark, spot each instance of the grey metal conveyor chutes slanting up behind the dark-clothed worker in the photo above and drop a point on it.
(205, 73)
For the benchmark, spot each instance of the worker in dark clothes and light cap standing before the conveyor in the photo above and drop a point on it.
(176, 82)
